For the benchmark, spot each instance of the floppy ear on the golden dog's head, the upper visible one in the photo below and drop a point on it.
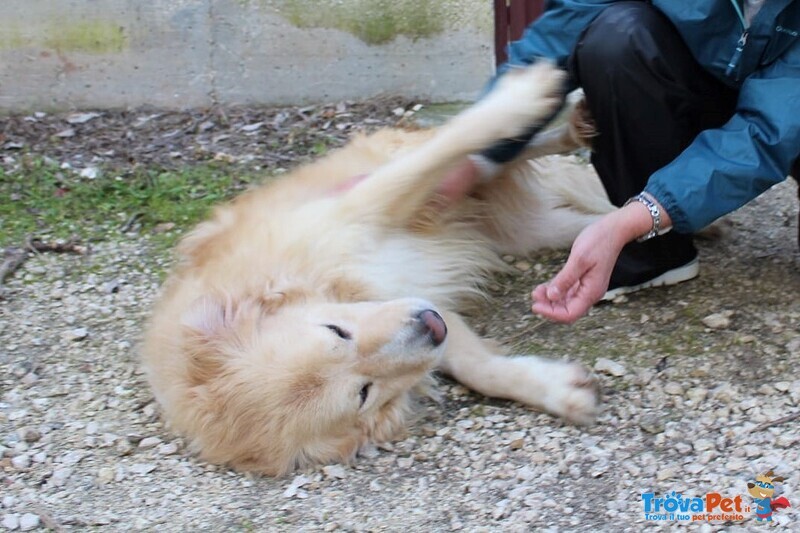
(214, 328)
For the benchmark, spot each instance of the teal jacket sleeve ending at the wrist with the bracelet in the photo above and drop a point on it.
(725, 168)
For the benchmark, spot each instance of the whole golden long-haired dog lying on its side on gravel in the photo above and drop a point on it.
(303, 318)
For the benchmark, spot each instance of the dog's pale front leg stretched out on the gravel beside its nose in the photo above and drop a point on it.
(558, 387)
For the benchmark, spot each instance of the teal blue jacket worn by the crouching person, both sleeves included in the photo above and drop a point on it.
(727, 167)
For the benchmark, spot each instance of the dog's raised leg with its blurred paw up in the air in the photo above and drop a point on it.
(395, 192)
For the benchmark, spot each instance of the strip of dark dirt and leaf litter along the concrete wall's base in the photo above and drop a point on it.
(265, 138)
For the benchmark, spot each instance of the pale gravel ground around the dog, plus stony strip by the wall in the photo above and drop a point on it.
(699, 384)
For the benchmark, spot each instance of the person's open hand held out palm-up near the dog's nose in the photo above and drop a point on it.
(584, 278)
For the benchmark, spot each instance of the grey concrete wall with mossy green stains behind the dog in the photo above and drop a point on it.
(190, 53)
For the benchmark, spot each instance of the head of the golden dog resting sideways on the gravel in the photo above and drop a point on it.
(275, 387)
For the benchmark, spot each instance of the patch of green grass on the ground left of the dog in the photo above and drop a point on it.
(42, 200)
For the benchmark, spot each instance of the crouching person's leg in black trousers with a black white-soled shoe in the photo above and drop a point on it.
(649, 99)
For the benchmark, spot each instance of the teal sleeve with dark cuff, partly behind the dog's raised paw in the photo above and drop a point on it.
(553, 36)
